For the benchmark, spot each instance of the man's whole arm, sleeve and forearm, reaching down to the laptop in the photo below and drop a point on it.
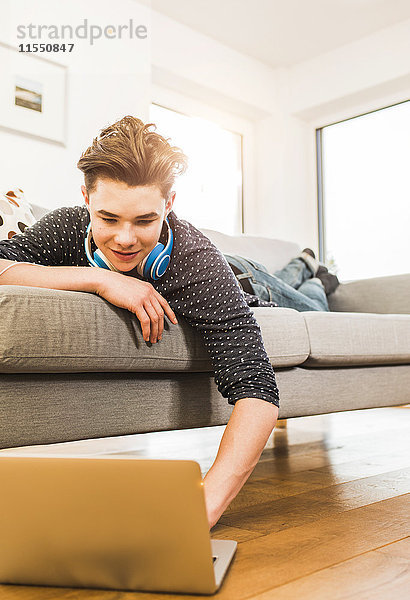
(207, 294)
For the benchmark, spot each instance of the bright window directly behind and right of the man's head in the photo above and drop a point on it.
(209, 194)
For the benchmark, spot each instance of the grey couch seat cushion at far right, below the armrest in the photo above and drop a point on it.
(352, 339)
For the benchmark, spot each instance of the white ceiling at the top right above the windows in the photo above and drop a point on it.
(282, 33)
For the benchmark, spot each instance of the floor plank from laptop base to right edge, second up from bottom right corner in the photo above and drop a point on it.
(280, 557)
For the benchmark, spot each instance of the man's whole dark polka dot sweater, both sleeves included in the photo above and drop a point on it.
(198, 284)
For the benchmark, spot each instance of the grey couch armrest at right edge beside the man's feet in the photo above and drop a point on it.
(388, 295)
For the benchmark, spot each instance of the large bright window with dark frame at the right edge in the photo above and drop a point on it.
(364, 196)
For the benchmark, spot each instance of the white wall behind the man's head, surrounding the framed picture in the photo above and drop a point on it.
(105, 82)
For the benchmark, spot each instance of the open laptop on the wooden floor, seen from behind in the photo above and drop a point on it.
(117, 523)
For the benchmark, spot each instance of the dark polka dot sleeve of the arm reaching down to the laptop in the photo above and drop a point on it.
(209, 297)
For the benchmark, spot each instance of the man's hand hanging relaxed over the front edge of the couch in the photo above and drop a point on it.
(140, 298)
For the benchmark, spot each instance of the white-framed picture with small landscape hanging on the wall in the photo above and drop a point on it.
(33, 95)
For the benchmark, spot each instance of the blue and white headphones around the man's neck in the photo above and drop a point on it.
(153, 266)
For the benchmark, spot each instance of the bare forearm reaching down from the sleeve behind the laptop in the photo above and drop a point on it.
(248, 429)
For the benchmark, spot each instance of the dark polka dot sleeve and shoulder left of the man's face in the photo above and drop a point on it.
(51, 241)
